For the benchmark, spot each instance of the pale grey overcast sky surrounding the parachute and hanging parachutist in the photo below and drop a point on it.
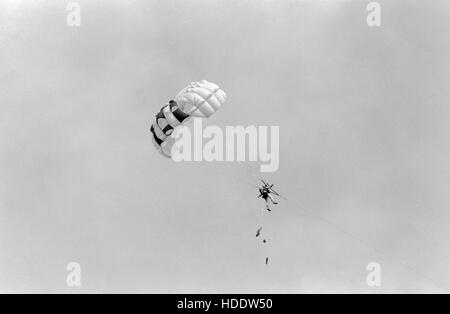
(364, 146)
